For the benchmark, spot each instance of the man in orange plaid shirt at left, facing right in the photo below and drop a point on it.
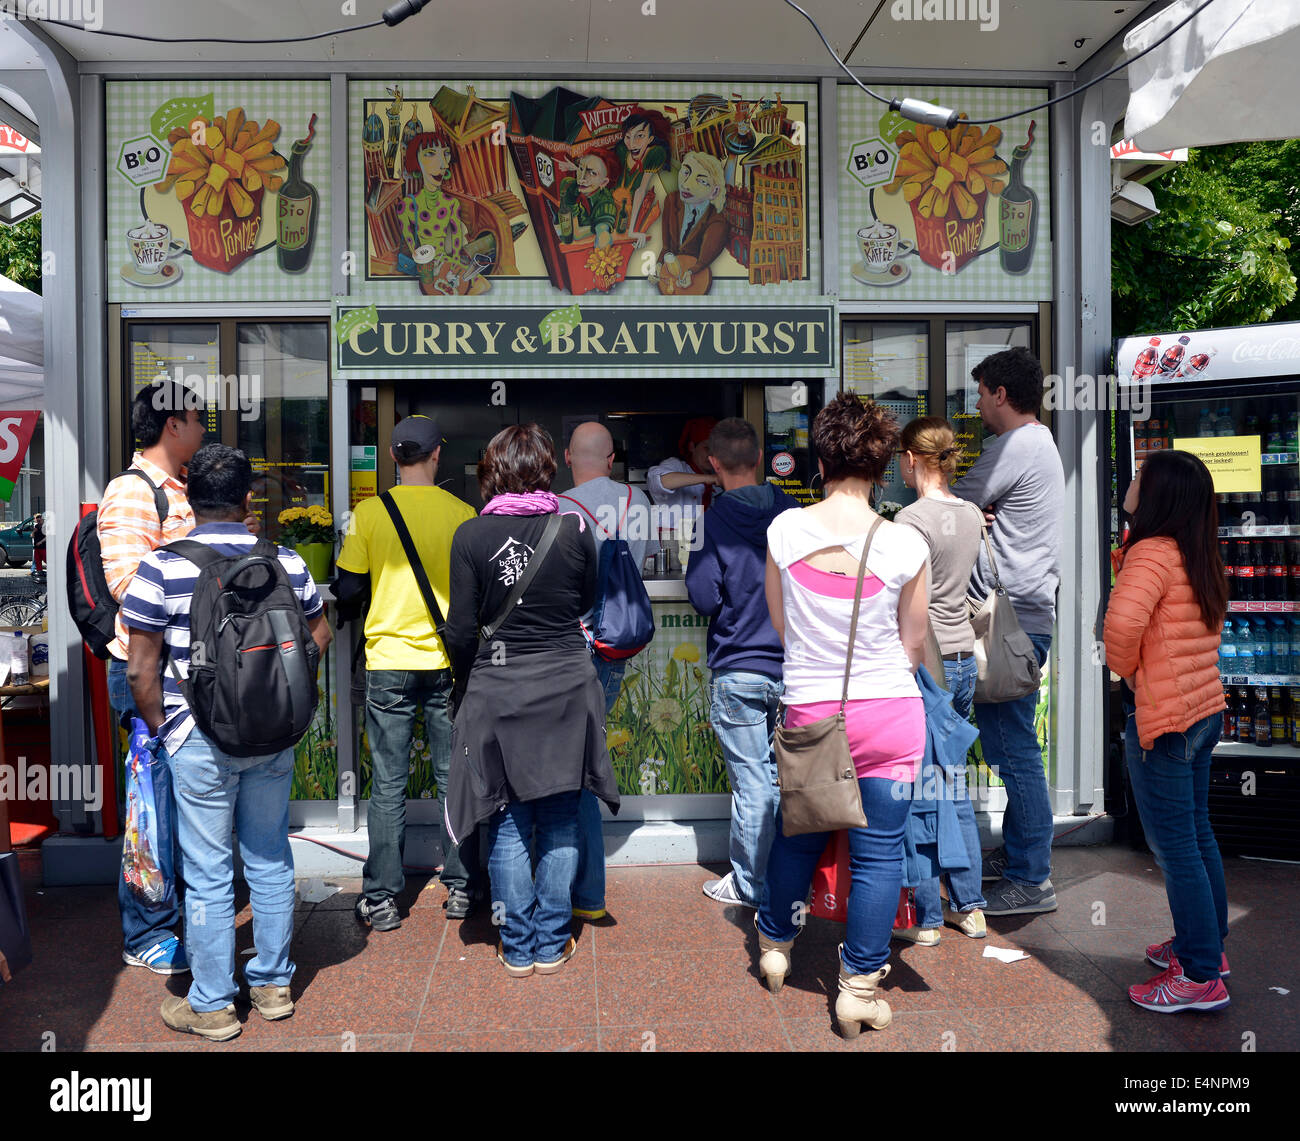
(168, 424)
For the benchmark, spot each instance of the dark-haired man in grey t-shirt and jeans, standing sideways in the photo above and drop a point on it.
(1020, 481)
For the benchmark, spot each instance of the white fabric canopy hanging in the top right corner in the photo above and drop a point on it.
(1229, 76)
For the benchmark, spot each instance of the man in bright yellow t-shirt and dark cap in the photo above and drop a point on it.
(406, 665)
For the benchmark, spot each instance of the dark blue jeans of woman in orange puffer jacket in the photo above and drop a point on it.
(1171, 784)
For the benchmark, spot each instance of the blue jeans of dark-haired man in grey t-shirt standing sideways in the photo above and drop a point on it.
(1012, 750)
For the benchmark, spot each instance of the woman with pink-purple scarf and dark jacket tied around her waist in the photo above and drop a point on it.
(530, 727)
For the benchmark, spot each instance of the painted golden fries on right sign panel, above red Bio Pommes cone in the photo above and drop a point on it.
(944, 171)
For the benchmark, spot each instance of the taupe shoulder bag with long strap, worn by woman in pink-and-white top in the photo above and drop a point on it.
(814, 765)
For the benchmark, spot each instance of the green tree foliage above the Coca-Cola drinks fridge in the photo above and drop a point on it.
(1224, 250)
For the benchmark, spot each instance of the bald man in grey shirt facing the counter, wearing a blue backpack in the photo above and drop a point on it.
(605, 506)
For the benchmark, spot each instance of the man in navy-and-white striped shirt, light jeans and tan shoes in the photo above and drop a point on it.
(214, 791)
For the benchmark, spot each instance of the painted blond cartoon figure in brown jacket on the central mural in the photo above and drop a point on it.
(695, 227)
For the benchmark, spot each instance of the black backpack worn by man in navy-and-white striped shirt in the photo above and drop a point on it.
(253, 660)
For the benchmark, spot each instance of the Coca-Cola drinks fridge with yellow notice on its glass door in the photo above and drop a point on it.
(1233, 397)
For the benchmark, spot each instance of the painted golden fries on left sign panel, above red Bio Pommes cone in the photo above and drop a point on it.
(235, 159)
